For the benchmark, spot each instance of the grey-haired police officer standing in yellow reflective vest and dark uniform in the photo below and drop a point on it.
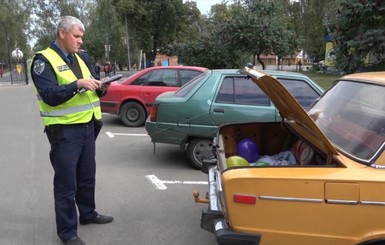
(70, 107)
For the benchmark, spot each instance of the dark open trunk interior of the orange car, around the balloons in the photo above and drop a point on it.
(273, 140)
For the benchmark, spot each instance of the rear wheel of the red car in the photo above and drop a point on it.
(133, 114)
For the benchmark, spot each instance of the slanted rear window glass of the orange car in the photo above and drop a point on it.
(352, 116)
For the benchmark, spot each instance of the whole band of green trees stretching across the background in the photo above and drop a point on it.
(231, 35)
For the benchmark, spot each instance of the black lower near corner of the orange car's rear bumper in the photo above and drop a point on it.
(212, 221)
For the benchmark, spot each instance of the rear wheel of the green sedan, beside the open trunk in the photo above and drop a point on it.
(198, 150)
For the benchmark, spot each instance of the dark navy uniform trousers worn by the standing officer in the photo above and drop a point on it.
(72, 156)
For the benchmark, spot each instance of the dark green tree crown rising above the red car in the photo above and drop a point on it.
(161, 22)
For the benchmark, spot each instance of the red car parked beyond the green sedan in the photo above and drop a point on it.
(132, 99)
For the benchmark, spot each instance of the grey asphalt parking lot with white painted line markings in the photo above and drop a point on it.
(149, 195)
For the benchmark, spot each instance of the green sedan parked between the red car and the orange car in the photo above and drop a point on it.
(190, 116)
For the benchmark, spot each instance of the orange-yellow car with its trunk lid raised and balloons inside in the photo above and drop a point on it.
(316, 178)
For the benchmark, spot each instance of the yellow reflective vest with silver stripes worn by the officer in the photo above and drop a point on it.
(79, 109)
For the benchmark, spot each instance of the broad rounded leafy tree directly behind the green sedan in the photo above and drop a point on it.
(234, 34)
